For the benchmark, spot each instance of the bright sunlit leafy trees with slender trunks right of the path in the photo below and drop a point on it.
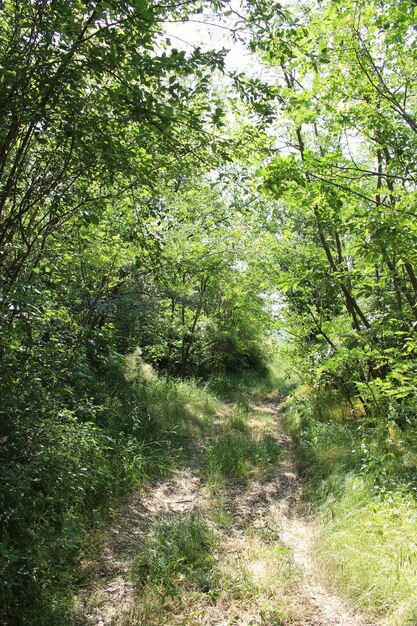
(343, 187)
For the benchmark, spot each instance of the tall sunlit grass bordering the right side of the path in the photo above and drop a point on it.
(359, 476)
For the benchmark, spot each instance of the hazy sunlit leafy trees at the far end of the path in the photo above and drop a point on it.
(202, 310)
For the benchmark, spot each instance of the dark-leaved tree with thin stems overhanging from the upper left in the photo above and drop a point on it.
(90, 114)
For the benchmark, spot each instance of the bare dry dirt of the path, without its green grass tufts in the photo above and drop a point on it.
(263, 560)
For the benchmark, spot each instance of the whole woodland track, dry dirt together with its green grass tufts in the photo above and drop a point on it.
(260, 567)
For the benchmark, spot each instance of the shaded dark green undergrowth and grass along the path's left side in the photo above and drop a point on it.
(60, 486)
